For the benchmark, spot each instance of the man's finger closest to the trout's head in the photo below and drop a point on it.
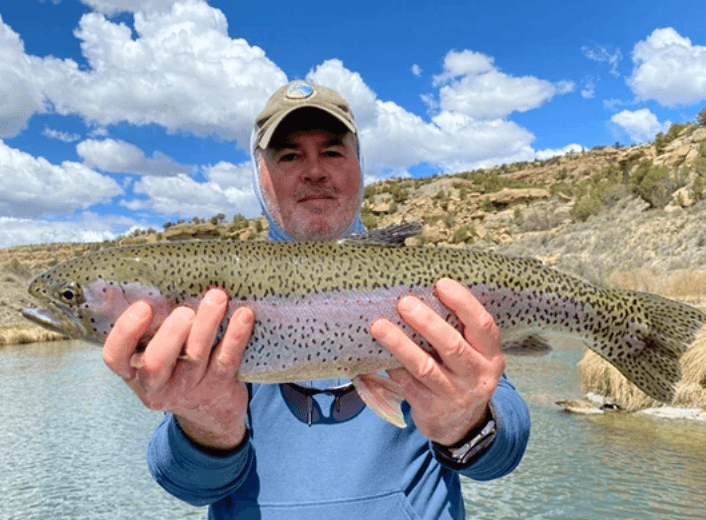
(123, 339)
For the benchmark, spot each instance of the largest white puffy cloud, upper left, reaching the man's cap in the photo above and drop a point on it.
(182, 71)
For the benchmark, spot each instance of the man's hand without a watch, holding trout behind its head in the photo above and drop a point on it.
(200, 388)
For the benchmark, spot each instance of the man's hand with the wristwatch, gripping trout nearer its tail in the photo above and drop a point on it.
(451, 398)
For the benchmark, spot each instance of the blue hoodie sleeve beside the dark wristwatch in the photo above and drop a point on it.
(512, 434)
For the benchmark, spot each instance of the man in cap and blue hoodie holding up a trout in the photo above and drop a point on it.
(312, 450)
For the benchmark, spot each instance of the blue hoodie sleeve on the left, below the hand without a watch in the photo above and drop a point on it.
(190, 474)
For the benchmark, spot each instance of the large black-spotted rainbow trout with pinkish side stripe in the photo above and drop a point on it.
(315, 301)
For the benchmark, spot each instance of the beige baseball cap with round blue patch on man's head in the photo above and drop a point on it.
(293, 96)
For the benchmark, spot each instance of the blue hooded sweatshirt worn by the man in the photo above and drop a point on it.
(353, 468)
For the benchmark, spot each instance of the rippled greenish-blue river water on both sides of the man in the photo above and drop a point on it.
(73, 437)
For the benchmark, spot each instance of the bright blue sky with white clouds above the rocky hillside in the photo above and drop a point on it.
(123, 114)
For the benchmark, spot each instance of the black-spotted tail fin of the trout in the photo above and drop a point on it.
(661, 332)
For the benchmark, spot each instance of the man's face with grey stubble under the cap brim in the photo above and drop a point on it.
(311, 183)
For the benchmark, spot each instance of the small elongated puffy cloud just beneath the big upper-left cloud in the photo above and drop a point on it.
(118, 156)
